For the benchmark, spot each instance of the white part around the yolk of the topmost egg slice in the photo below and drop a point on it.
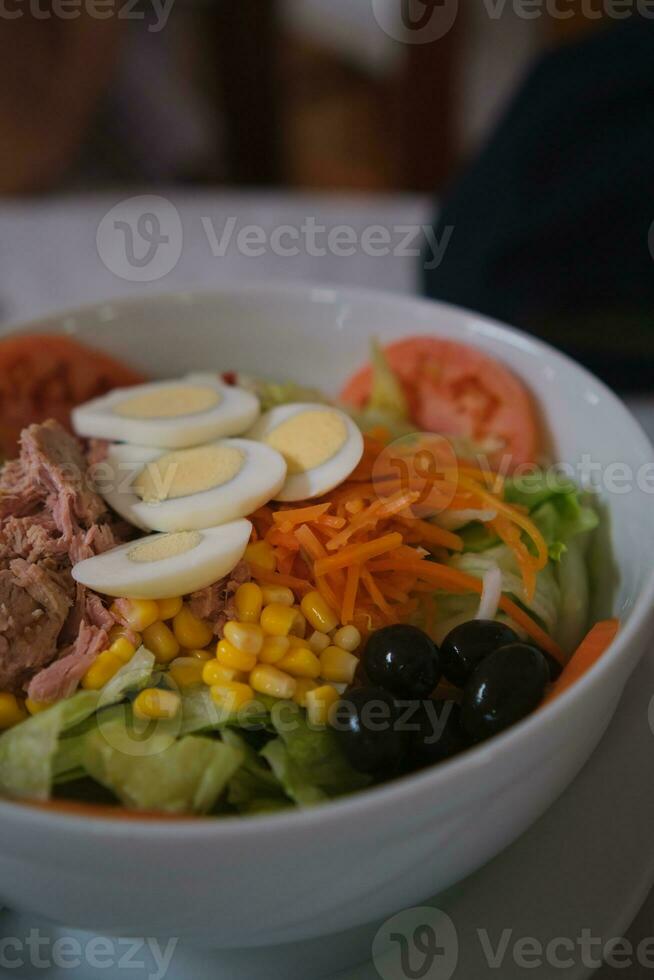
(234, 414)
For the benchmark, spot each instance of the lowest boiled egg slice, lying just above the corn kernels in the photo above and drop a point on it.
(162, 566)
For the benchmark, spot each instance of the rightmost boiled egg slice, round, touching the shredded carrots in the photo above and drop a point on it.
(321, 446)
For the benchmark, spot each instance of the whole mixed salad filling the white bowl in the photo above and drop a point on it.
(224, 595)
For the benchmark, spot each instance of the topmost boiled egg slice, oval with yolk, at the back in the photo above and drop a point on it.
(168, 414)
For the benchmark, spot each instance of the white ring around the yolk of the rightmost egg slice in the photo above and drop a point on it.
(320, 479)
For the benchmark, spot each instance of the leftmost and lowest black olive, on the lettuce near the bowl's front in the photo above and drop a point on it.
(366, 724)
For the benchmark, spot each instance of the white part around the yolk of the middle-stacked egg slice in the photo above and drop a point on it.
(261, 477)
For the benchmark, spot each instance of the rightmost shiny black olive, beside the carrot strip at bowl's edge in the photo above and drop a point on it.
(506, 686)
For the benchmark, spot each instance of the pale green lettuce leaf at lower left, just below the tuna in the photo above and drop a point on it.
(28, 752)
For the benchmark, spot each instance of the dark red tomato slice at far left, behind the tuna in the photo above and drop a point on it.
(45, 375)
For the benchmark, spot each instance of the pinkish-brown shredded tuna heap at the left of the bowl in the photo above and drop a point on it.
(50, 518)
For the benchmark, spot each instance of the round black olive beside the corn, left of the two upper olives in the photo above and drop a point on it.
(404, 660)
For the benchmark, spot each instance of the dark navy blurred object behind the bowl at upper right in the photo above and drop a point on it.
(553, 223)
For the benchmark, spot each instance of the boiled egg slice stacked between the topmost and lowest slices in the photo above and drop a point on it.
(190, 489)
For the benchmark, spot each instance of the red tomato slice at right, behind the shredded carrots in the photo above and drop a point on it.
(455, 390)
